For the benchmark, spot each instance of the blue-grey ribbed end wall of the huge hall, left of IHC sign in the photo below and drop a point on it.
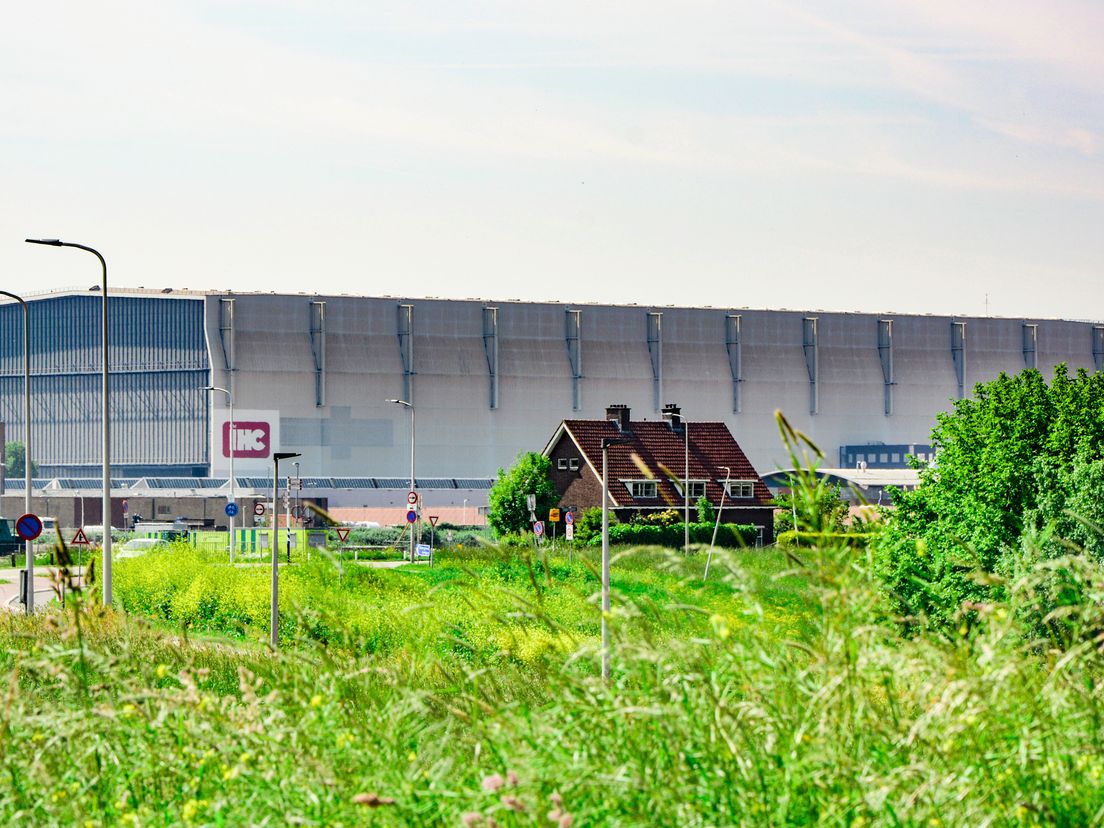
(158, 362)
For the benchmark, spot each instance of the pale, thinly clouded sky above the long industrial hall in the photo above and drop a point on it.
(940, 156)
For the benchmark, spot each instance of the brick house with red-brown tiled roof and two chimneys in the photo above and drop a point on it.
(647, 468)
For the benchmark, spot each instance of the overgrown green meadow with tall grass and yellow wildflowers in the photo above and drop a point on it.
(781, 693)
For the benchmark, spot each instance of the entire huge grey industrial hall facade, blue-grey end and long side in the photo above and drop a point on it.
(315, 375)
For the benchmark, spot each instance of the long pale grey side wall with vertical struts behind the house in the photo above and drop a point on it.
(468, 356)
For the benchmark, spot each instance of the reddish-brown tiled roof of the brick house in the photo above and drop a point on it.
(656, 445)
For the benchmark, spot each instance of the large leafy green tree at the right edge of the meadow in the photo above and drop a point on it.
(1020, 455)
